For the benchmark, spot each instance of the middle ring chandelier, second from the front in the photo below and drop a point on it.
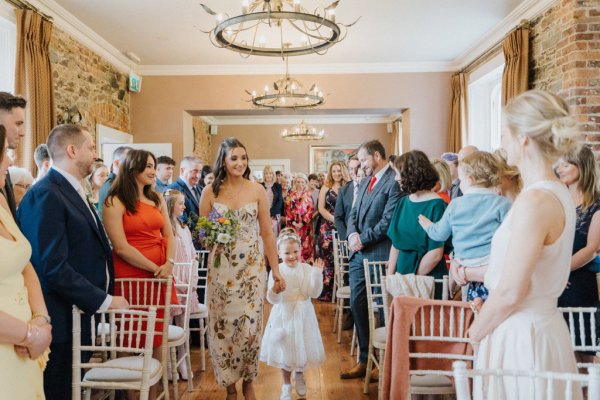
(287, 92)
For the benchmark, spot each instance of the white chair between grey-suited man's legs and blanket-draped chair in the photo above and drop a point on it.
(377, 302)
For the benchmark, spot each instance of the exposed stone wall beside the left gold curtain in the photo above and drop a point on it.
(87, 84)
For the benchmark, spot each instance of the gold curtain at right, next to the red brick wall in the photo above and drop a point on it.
(515, 79)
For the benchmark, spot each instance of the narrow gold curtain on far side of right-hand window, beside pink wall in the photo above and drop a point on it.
(458, 112)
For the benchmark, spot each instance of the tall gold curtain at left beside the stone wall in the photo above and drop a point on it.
(33, 80)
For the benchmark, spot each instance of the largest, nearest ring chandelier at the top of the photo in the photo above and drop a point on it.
(277, 28)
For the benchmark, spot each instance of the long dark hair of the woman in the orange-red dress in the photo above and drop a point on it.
(125, 187)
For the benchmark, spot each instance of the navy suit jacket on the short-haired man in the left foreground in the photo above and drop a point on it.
(70, 252)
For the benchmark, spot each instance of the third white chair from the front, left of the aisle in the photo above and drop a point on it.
(179, 336)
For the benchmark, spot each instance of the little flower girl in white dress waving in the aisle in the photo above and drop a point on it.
(292, 341)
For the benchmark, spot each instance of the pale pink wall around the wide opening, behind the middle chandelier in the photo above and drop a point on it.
(157, 112)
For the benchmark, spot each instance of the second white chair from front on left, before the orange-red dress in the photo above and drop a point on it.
(143, 293)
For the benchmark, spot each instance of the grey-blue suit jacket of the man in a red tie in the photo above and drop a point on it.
(371, 215)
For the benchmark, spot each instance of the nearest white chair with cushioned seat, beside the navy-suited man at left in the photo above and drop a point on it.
(124, 336)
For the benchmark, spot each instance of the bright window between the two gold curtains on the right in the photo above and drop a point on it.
(485, 105)
